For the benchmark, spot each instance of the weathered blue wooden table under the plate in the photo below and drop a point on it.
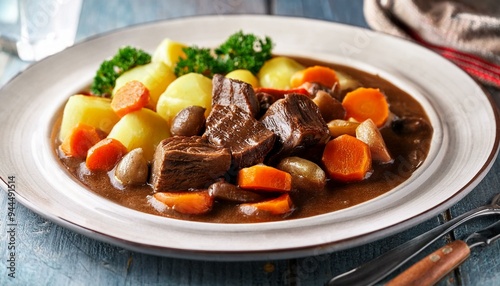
(48, 254)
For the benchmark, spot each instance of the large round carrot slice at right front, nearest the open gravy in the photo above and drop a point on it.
(347, 159)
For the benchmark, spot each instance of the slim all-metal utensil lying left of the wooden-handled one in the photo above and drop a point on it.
(378, 268)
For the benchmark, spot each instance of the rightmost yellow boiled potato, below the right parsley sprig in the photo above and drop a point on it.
(276, 72)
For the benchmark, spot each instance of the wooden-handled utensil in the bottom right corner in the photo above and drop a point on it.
(436, 265)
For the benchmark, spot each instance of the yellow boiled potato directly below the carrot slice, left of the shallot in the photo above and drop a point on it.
(143, 128)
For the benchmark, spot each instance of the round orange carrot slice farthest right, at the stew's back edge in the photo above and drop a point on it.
(366, 103)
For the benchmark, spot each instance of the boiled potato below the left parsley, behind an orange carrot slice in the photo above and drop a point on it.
(156, 76)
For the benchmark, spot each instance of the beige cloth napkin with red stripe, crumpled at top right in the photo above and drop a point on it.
(465, 31)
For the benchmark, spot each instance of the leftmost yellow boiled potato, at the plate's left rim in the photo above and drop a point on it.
(91, 110)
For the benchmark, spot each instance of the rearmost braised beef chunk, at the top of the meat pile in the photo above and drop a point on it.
(226, 91)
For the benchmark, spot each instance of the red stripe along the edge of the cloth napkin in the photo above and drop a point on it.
(484, 71)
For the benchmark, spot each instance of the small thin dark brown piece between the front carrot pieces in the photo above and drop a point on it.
(228, 192)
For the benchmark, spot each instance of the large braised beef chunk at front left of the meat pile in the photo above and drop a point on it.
(183, 163)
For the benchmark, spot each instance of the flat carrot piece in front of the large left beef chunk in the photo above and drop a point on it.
(198, 202)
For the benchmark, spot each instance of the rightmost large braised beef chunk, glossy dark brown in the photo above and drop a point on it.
(298, 124)
